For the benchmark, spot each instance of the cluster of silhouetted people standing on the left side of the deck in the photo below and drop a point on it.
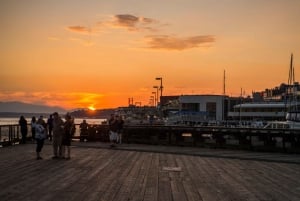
(58, 131)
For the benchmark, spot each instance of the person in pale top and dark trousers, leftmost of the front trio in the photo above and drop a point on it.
(40, 136)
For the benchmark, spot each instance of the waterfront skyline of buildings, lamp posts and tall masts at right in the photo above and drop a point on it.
(269, 105)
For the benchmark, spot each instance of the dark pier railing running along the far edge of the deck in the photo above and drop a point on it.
(282, 140)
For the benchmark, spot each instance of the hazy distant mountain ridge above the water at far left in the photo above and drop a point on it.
(20, 107)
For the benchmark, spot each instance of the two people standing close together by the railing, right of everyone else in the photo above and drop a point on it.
(115, 123)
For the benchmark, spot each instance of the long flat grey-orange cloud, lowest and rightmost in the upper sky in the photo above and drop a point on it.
(175, 43)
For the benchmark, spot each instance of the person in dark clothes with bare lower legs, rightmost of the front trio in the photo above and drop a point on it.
(67, 136)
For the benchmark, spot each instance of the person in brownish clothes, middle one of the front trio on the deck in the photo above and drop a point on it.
(58, 130)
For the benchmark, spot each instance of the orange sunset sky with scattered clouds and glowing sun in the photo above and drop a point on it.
(96, 53)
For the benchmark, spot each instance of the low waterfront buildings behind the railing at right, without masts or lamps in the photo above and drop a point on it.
(270, 104)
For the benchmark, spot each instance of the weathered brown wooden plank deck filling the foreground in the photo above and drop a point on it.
(133, 172)
